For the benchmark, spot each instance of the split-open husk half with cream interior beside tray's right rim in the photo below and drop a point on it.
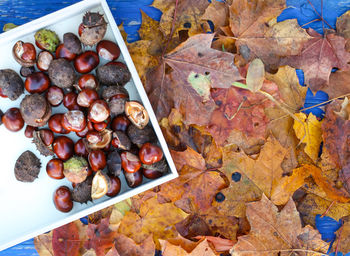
(137, 114)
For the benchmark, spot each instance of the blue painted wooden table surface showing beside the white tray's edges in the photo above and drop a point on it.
(23, 11)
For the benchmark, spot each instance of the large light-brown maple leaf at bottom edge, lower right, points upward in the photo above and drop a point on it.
(273, 232)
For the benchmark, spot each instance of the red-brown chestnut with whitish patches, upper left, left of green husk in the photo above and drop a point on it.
(24, 53)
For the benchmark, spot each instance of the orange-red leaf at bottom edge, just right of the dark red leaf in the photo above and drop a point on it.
(100, 237)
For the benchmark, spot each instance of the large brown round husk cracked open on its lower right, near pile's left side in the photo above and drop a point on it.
(35, 110)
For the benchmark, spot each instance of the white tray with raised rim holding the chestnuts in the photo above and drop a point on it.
(27, 209)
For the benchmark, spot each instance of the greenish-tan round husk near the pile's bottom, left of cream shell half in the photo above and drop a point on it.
(76, 169)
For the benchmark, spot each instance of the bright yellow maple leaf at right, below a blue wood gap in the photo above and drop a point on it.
(313, 136)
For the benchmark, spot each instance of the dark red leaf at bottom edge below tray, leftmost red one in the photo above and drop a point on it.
(66, 239)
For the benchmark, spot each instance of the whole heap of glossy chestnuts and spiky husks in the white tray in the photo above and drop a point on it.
(113, 137)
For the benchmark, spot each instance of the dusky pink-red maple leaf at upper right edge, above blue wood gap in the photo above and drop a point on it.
(318, 57)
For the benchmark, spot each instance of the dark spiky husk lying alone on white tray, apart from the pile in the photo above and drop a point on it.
(27, 167)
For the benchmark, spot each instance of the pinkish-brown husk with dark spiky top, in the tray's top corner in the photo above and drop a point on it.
(94, 28)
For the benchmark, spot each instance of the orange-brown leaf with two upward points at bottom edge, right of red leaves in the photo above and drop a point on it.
(127, 247)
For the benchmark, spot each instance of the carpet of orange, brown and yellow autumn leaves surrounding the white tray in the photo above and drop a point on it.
(263, 162)
